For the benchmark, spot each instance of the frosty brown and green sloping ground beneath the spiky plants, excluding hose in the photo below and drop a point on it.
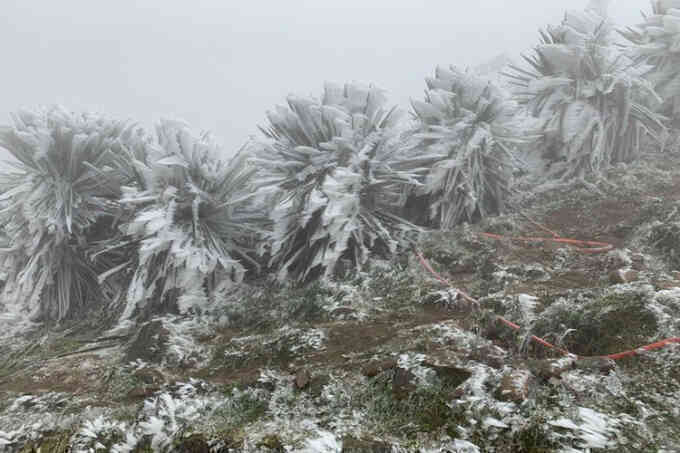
(392, 360)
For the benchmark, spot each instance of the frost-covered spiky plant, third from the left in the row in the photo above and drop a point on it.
(332, 168)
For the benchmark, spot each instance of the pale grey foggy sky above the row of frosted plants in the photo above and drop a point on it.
(221, 64)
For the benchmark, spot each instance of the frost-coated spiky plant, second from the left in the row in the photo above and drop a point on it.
(192, 221)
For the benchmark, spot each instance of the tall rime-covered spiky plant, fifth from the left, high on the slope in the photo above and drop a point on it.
(592, 104)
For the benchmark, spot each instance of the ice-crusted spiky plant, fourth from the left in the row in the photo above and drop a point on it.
(461, 134)
